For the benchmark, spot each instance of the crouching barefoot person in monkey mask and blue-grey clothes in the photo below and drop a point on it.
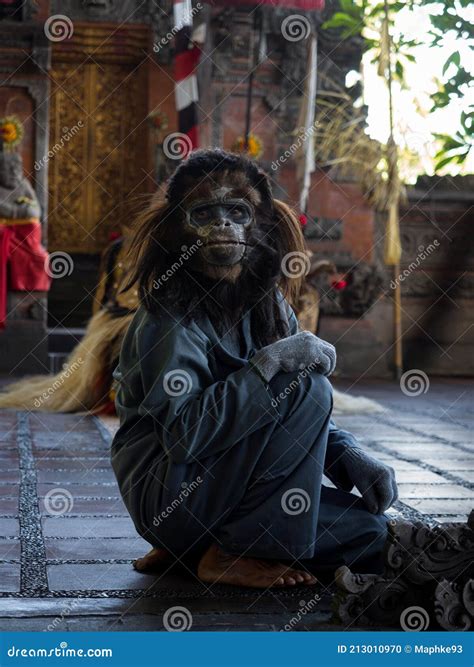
(225, 405)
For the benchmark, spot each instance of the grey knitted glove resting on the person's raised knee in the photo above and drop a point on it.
(302, 350)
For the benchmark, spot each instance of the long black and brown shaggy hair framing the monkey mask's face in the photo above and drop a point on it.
(159, 237)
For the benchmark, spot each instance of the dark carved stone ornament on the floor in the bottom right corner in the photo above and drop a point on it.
(428, 574)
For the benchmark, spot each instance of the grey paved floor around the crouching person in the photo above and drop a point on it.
(67, 543)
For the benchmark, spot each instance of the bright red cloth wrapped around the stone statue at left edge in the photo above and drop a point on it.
(23, 262)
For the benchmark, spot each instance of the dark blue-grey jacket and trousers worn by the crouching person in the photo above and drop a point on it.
(207, 452)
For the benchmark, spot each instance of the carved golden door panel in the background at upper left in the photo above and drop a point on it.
(97, 153)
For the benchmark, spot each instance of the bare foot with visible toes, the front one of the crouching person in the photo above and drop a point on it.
(216, 566)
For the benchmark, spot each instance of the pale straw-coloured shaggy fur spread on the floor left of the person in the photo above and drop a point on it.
(83, 384)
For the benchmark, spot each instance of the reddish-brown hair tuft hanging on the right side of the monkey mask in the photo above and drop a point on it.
(291, 241)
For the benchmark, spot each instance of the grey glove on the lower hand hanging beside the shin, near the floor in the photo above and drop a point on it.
(375, 480)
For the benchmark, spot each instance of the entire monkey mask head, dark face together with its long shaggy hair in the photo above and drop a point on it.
(217, 242)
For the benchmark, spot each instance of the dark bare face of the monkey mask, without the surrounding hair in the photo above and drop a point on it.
(221, 225)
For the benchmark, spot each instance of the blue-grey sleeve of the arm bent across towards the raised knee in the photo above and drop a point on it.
(194, 416)
